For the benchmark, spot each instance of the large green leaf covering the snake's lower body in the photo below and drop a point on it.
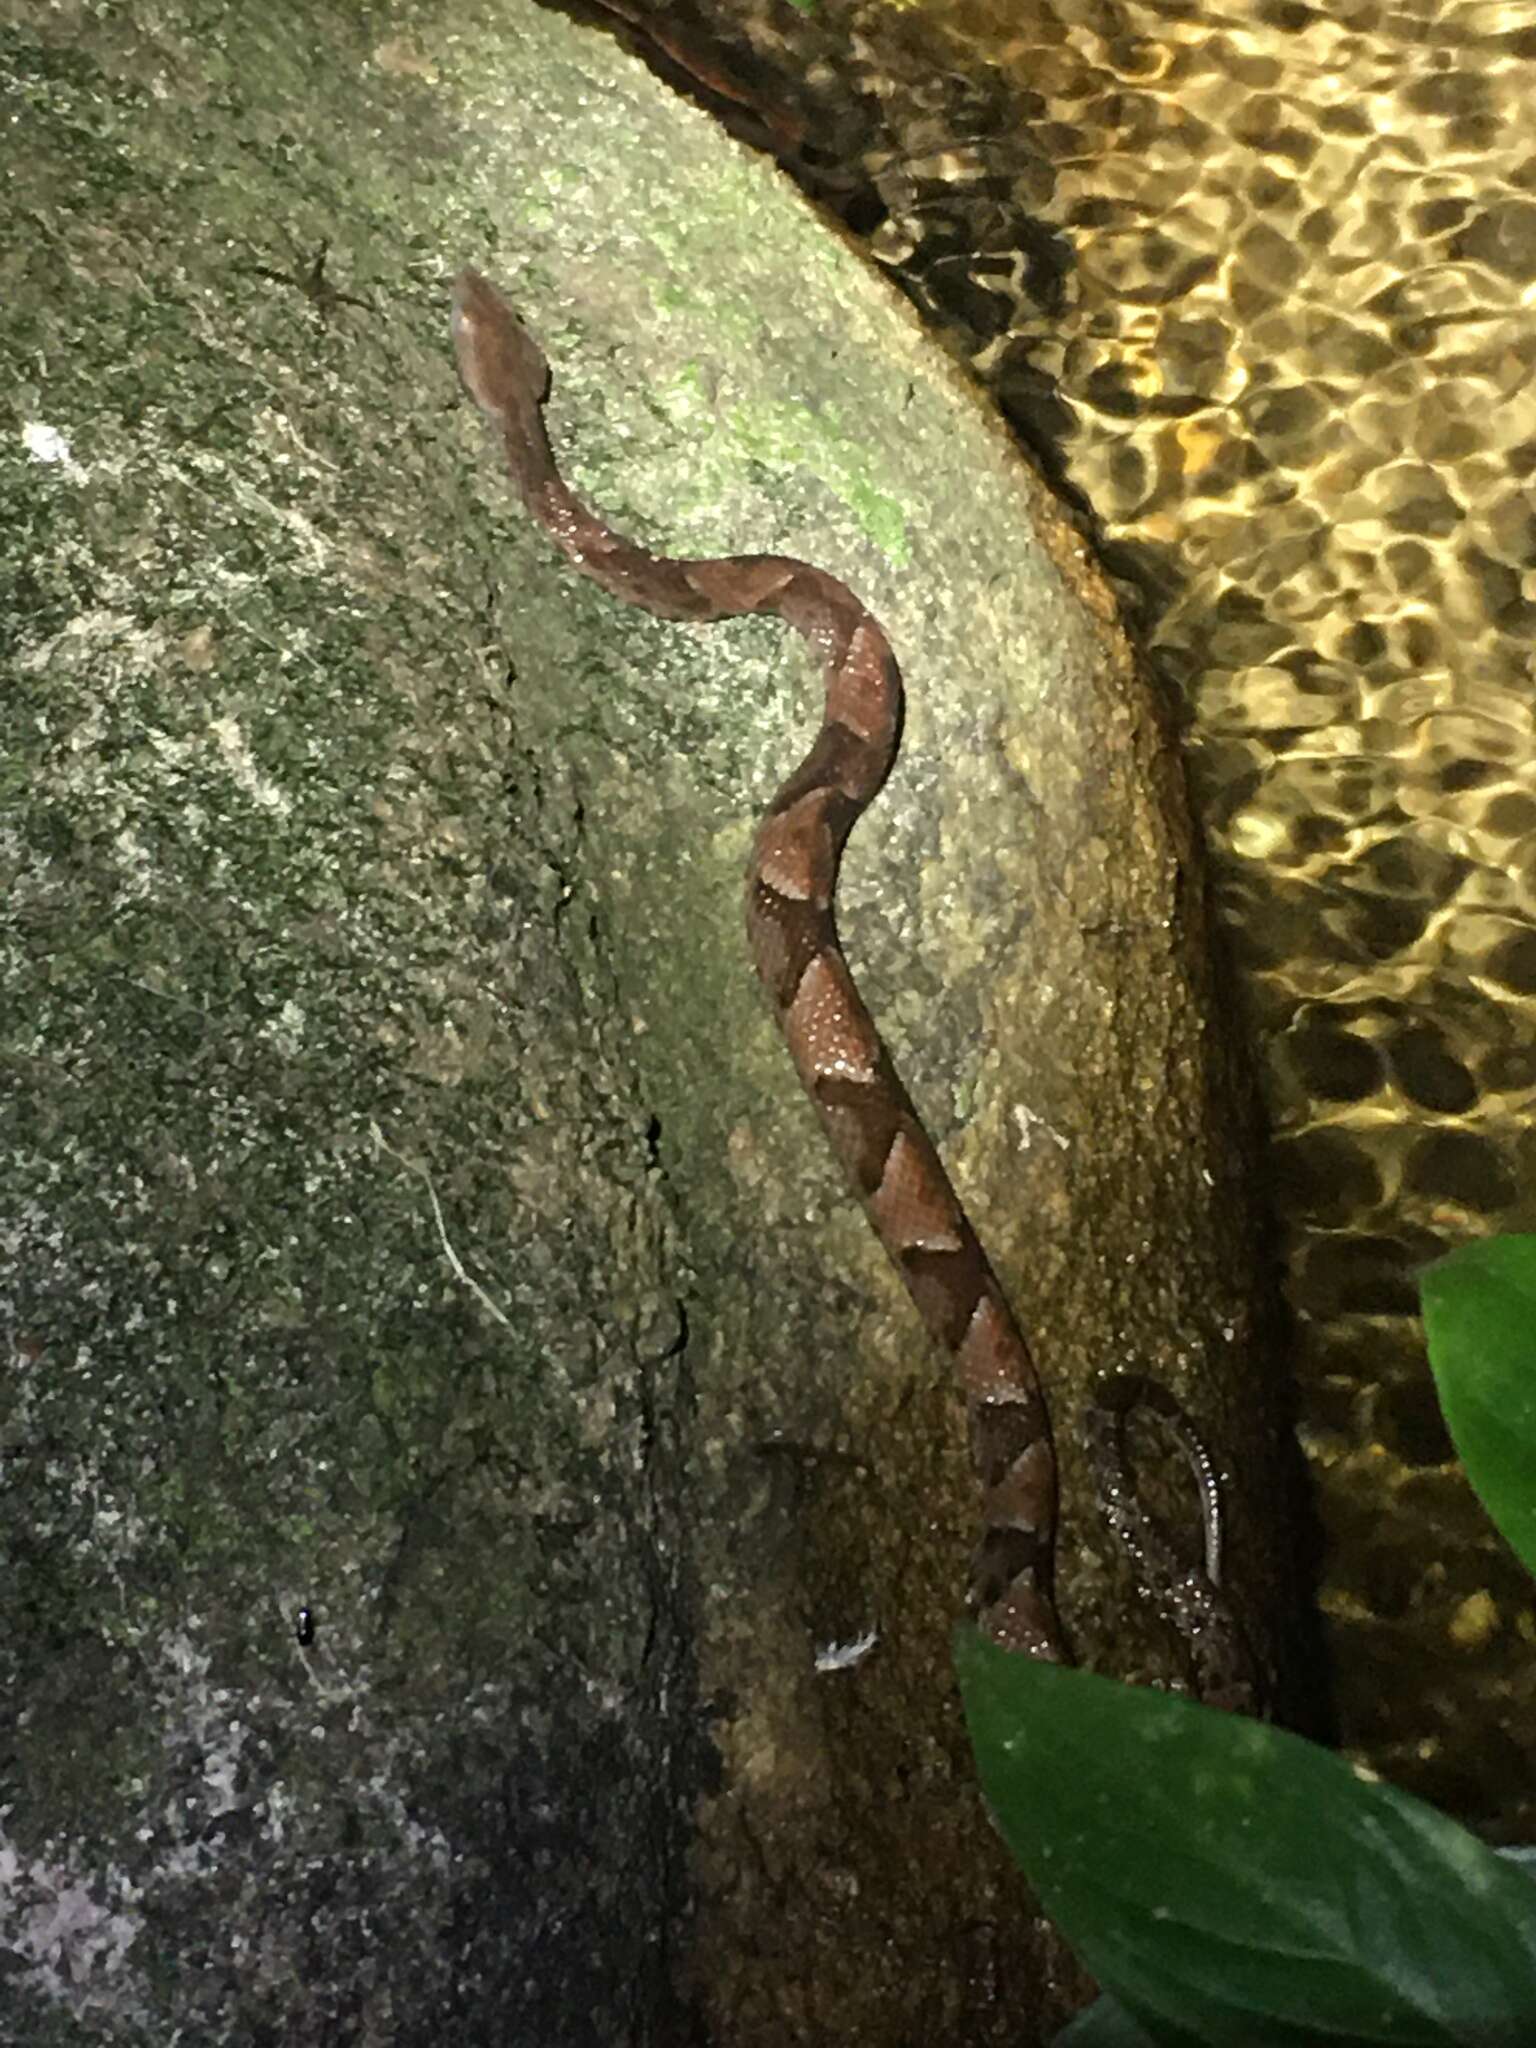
(1234, 1885)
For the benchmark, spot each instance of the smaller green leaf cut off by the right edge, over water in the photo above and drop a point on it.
(1480, 1316)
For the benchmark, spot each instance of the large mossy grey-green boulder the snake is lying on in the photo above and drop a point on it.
(411, 1215)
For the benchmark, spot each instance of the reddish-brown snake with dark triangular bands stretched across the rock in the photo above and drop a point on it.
(839, 1054)
